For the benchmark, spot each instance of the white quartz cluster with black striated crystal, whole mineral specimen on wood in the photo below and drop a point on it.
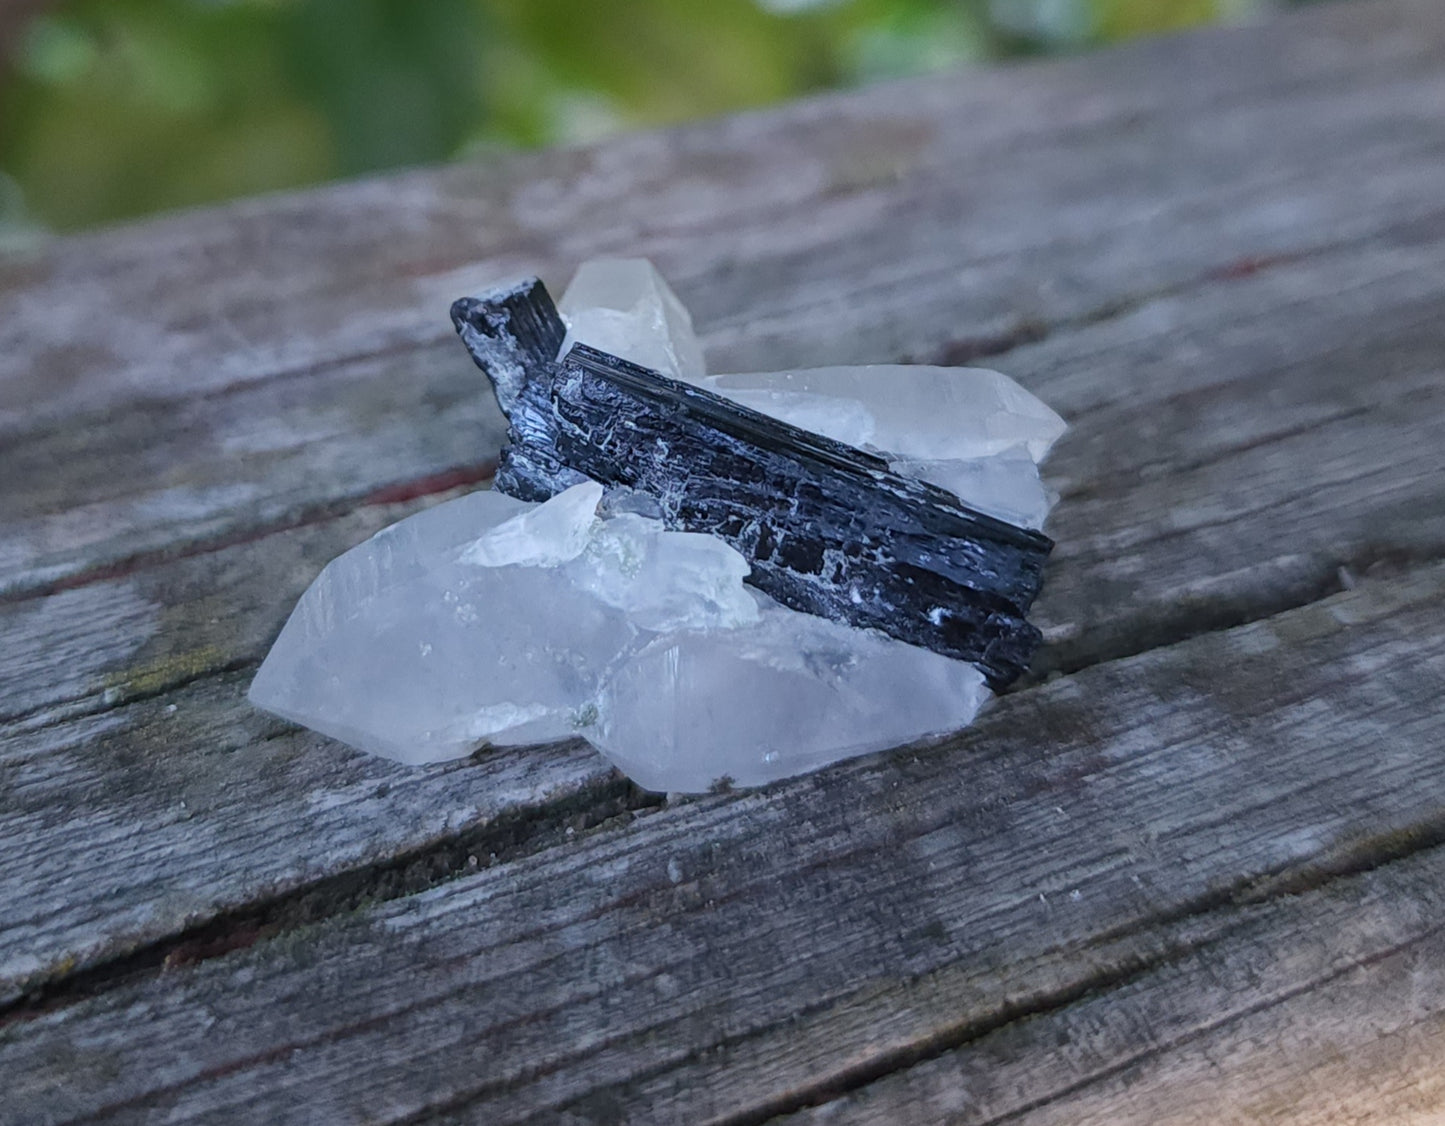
(498, 619)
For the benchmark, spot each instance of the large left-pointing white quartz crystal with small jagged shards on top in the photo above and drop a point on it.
(421, 644)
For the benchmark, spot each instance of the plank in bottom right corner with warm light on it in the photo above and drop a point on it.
(1327, 1007)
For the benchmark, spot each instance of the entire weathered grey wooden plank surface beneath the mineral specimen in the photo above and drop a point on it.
(1220, 257)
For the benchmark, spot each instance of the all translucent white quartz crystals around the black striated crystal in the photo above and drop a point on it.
(496, 621)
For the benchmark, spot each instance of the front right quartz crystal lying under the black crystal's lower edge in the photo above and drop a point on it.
(784, 696)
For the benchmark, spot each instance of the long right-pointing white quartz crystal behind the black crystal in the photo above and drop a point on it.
(911, 411)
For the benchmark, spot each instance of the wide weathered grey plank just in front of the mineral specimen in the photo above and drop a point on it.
(742, 955)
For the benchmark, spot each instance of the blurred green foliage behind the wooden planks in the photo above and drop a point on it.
(111, 109)
